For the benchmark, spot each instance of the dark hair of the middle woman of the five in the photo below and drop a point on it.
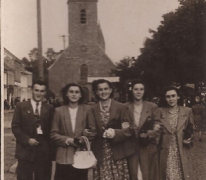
(95, 84)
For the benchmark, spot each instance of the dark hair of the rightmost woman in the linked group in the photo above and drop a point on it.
(163, 102)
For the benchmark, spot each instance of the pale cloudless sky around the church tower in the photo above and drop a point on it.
(125, 24)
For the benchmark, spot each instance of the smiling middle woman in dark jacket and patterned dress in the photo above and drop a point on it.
(112, 139)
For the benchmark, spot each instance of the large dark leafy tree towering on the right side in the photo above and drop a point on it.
(177, 50)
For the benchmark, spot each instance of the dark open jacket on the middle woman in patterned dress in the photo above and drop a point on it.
(122, 145)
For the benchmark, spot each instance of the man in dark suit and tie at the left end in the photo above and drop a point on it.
(31, 126)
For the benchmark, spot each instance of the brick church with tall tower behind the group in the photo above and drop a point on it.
(85, 59)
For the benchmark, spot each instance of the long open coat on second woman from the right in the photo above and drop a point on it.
(147, 155)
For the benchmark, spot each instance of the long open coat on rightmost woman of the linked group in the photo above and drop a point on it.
(184, 117)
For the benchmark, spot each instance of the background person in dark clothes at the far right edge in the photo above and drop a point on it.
(198, 110)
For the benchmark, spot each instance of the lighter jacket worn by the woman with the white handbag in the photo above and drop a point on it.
(62, 130)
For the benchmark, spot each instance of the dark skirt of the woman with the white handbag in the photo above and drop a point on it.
(68, 172)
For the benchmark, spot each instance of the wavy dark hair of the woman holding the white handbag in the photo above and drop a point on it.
(64, 92)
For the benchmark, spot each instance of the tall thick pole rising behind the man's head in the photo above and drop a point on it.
(39, 36)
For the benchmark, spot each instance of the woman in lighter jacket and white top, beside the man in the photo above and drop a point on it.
(67, 127)
